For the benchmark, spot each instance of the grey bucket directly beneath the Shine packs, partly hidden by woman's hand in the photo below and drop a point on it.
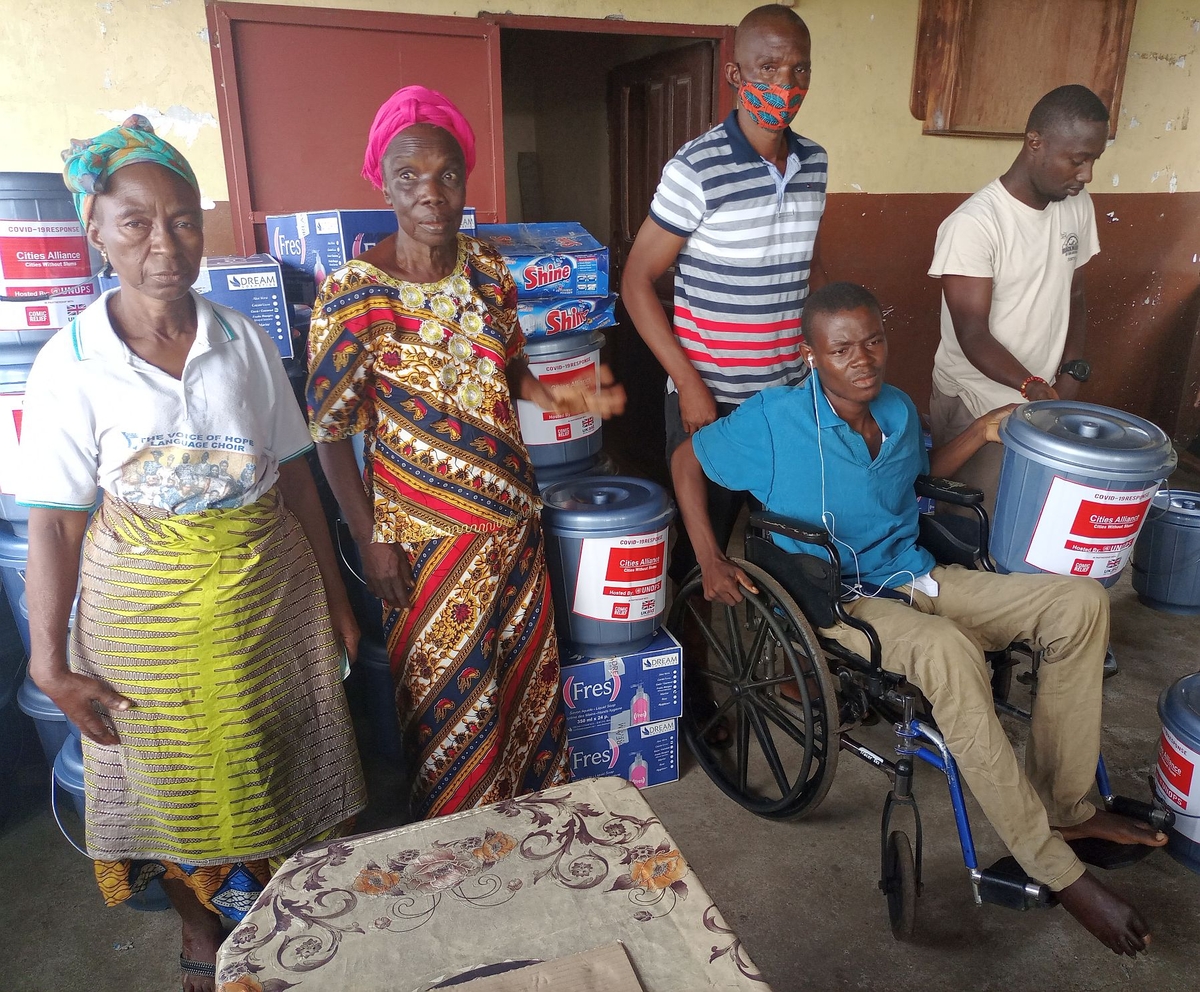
(550, 438)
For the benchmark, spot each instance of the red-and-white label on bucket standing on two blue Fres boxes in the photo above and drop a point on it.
(622, 579)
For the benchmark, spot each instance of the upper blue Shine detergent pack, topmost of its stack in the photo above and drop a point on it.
(560, 260)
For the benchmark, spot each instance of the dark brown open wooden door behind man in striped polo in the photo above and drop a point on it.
(656, 106)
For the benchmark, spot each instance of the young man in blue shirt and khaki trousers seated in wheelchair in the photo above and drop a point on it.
(845, 449)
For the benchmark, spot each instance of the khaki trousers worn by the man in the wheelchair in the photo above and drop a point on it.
(938, 645)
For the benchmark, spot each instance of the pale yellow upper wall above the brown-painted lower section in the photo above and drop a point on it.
(71, 68)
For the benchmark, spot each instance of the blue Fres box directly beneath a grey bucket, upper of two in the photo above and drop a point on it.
(609, 694)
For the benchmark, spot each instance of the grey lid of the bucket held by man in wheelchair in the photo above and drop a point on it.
(1090, 440)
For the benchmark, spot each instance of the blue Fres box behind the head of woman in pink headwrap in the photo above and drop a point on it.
(316, 243)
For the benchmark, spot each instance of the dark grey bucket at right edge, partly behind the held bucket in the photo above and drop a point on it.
(1167, 557)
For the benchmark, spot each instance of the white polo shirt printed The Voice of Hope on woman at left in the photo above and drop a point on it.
(97, 417)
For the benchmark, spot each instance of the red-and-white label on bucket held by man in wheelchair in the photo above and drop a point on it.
(1088, 532)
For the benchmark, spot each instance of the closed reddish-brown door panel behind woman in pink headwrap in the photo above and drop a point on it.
(299, 88)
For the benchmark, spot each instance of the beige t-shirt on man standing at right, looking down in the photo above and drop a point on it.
(1031, 257)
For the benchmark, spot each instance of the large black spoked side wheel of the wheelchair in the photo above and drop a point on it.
(760, 656)
